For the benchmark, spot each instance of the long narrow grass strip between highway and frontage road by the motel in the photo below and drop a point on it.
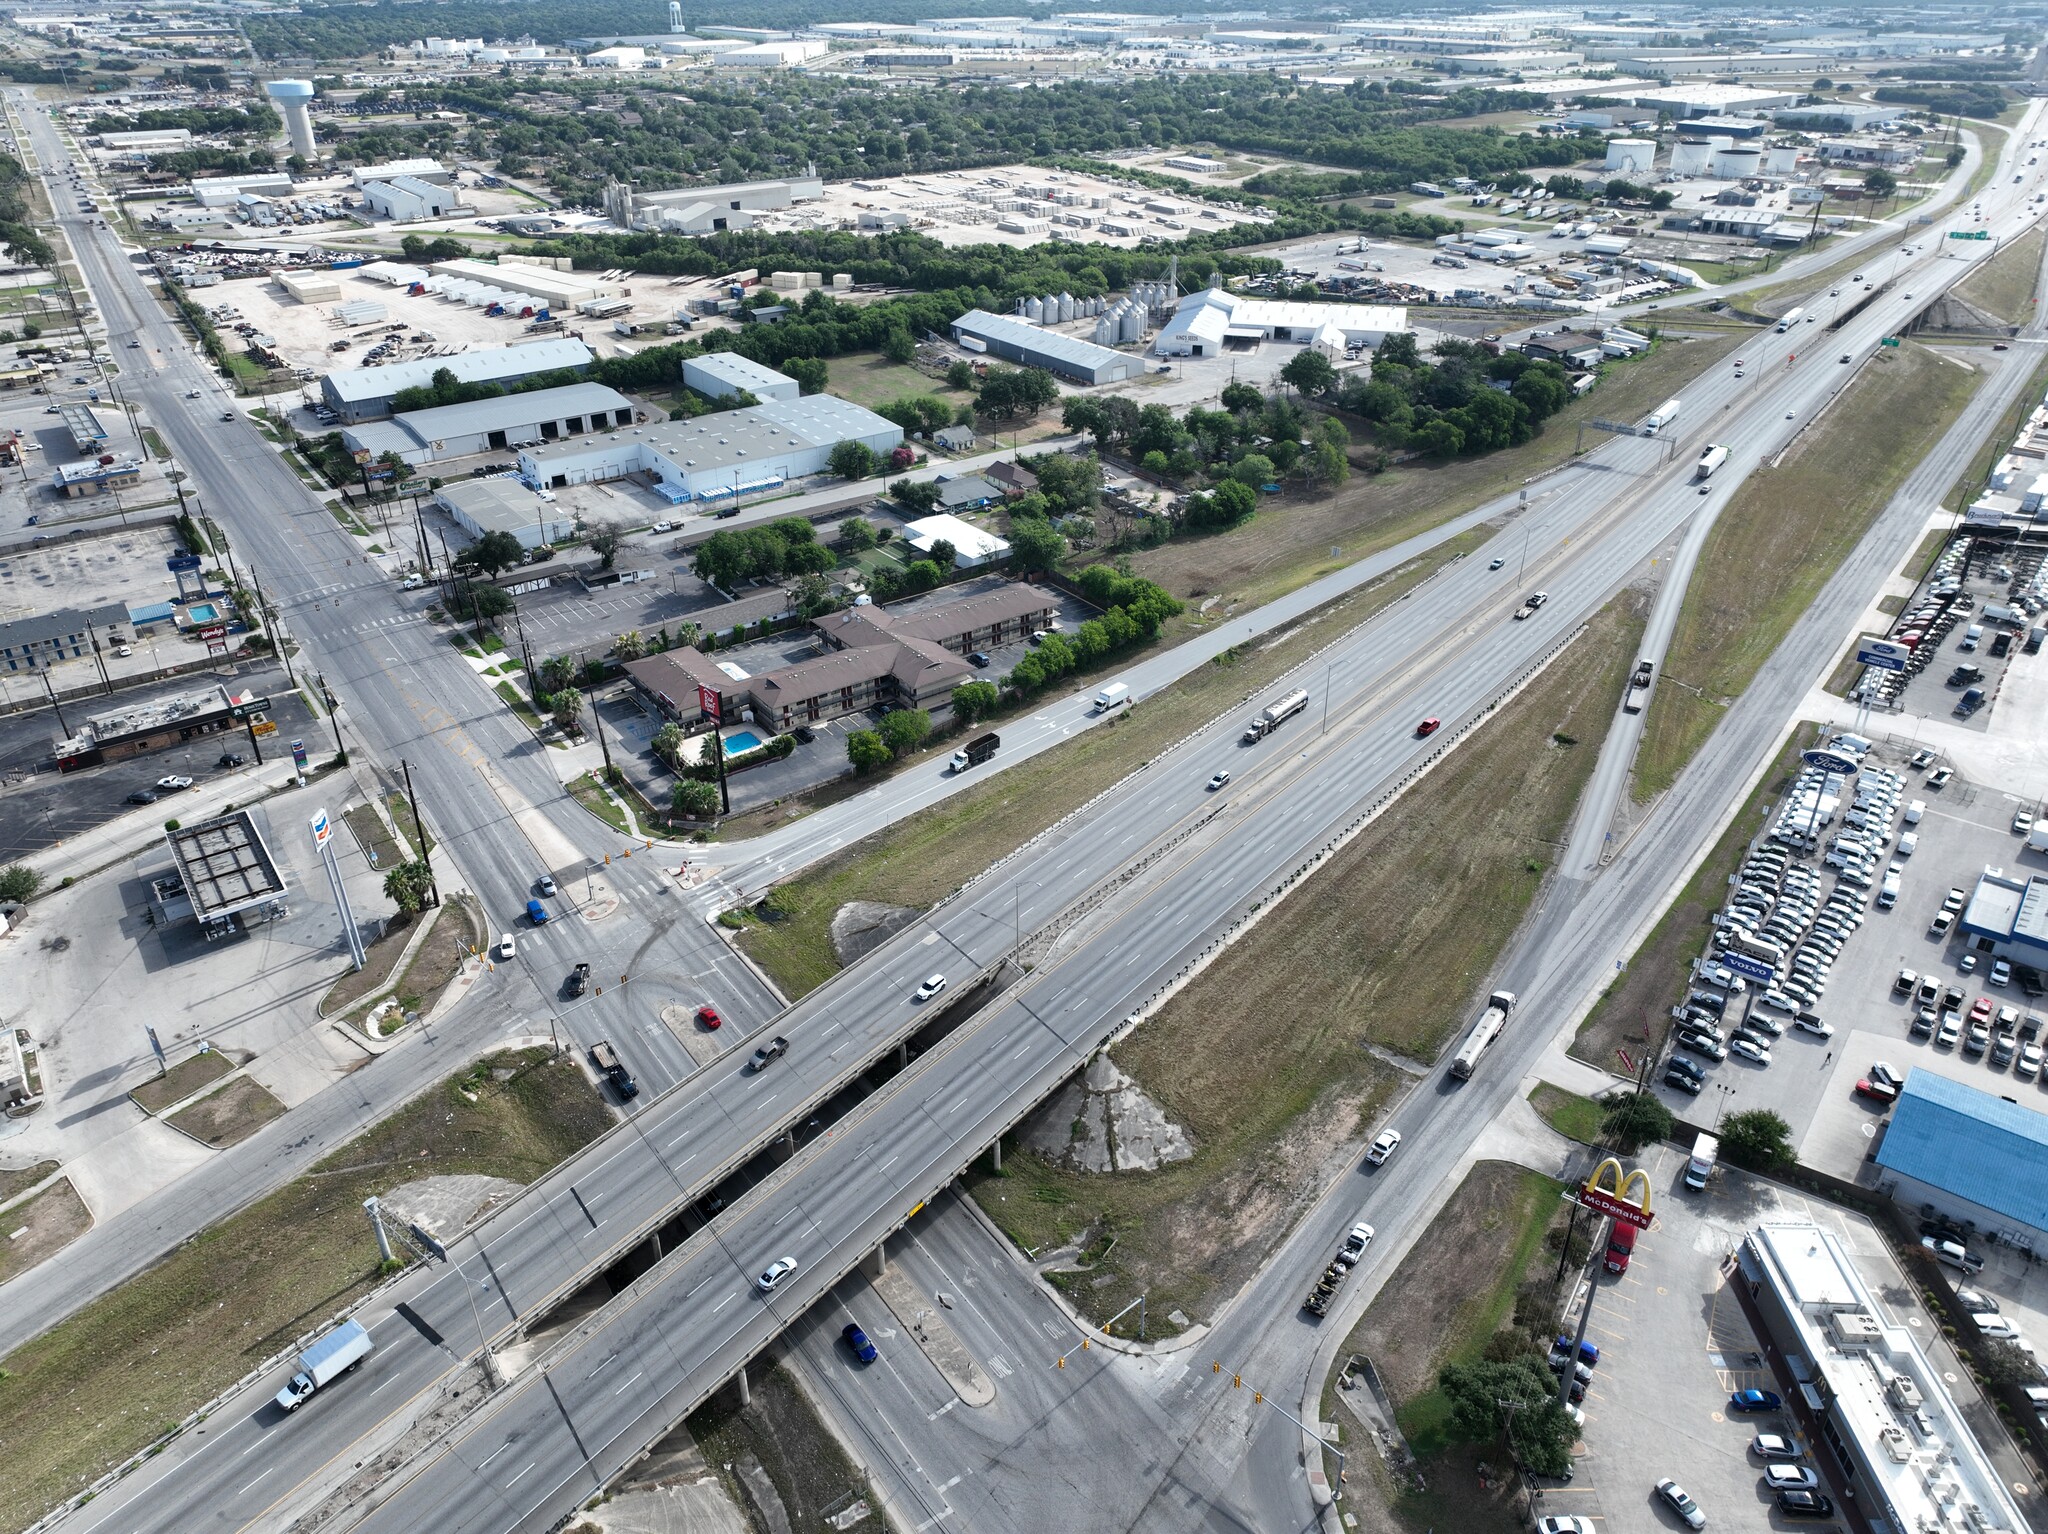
(927, 857)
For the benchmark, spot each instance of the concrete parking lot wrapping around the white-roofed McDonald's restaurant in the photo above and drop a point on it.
(1676, 1343)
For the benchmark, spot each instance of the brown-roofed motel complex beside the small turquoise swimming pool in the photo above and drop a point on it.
(873, 661)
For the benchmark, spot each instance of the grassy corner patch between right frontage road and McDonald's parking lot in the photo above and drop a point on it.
(1453, 1291)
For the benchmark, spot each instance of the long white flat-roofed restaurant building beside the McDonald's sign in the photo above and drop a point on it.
(1877, 1398)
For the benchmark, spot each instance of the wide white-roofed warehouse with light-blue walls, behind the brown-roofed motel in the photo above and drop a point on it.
(724, 456)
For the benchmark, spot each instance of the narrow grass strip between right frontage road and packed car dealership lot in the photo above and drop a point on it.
(1633, 1009)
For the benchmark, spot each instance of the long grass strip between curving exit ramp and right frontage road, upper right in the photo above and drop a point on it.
(1781, 540)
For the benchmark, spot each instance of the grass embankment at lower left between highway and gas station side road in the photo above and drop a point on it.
(128, 1367)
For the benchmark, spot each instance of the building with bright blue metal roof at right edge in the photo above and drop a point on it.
(1971, 1154)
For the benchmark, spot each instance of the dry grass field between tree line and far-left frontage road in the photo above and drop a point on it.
(1289, 542)
